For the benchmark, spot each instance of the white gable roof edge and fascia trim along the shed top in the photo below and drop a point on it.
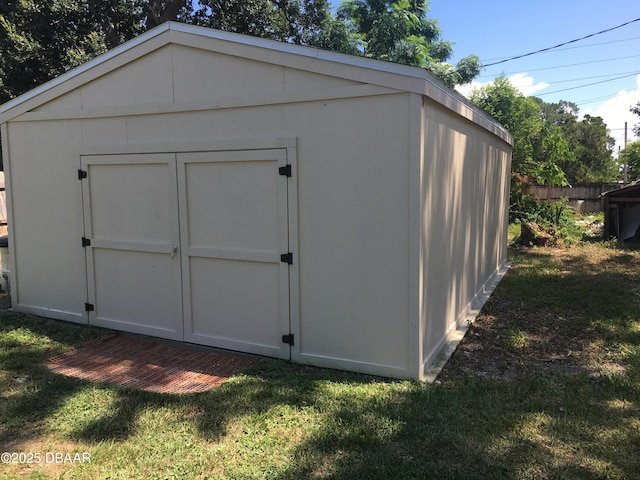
(348, 67)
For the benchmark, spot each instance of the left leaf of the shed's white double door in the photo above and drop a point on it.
(131, 221)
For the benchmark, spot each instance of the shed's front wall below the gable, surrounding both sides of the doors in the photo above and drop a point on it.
(352, 197)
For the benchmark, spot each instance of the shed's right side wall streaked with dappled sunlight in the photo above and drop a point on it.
(465, 187)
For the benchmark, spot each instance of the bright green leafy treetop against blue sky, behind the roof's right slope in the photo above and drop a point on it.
(399, 31)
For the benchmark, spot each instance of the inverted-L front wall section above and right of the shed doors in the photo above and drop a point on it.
(352, 200)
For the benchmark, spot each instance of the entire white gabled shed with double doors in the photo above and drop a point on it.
(257, 196)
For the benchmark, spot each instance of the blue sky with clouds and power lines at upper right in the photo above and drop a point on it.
(498, 29)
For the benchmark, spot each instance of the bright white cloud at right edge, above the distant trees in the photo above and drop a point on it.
(615, 112)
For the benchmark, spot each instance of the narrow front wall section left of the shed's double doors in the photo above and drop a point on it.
(47, 266)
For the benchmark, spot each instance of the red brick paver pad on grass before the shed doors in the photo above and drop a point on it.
(149, 366)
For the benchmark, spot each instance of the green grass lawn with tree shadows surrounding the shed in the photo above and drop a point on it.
(546, 385)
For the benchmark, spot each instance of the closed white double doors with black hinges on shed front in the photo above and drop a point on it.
(188, 246)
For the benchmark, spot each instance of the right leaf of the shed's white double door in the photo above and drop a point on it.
(233, 214)
